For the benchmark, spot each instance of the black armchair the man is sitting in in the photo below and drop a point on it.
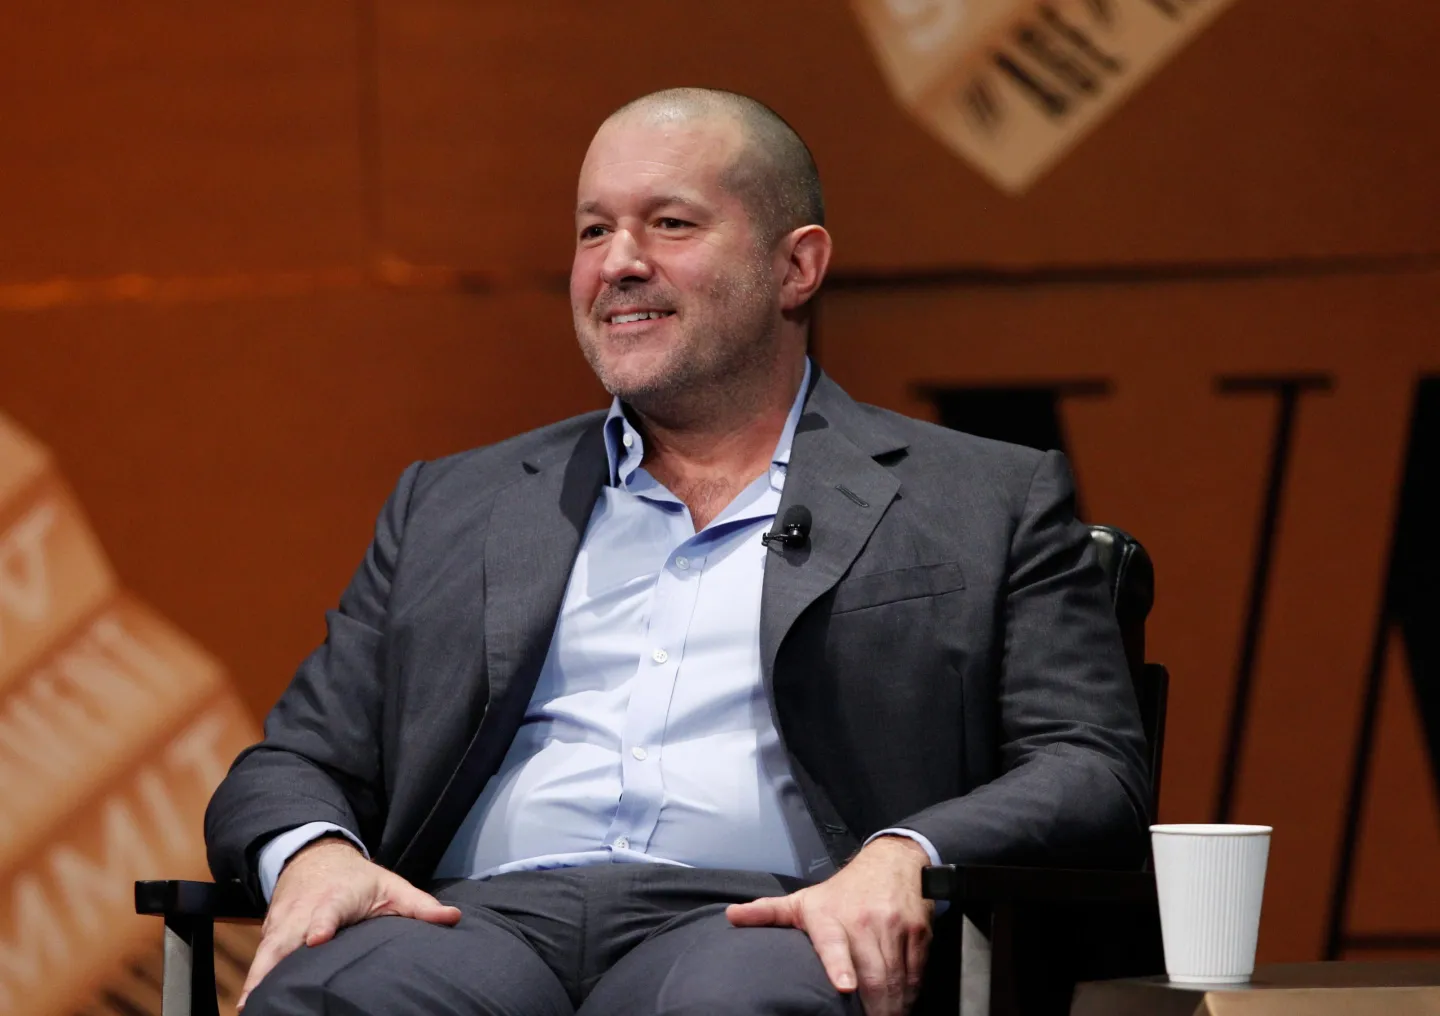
(1017, 940)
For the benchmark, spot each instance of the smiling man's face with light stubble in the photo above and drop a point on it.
(670, 289)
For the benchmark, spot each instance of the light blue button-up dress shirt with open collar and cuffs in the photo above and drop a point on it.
(649, 738)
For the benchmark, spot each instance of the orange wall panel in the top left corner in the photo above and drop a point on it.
(178, 139)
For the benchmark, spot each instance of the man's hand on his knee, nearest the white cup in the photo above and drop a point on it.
(869, 923)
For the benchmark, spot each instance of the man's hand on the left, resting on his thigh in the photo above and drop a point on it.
(326, 887)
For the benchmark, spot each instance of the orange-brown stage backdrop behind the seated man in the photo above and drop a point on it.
(257, 258)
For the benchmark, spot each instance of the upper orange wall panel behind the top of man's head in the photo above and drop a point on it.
(1291, 129)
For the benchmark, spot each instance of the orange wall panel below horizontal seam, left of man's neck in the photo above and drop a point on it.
(234, 457)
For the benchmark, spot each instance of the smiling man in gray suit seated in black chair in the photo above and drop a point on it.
(646, 759)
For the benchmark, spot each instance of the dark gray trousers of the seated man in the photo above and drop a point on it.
(597, 942)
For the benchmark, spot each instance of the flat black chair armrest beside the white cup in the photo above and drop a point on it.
(984, 884)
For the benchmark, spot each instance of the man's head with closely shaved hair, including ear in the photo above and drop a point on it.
(702, 212)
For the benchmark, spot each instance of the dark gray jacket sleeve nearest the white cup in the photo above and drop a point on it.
(1074, 786)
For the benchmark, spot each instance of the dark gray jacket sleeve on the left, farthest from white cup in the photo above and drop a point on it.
(320, 761)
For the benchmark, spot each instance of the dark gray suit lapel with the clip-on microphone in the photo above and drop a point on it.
(834, 474)
